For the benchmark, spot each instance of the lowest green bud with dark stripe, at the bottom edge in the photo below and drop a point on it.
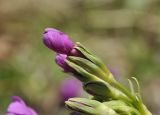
(89, 107)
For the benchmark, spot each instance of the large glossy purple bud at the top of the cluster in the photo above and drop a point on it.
(57, 41)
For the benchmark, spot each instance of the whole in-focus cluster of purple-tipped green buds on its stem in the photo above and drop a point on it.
(109, 97)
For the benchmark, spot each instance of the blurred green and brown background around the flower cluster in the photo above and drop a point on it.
(124, 33)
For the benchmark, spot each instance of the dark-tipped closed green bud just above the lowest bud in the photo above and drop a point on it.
(104, 91)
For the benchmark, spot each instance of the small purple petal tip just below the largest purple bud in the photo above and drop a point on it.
(60, 60)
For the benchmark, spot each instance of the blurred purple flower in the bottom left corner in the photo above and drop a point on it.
(18, 107)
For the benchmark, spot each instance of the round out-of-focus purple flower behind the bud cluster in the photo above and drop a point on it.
(70, 87)
